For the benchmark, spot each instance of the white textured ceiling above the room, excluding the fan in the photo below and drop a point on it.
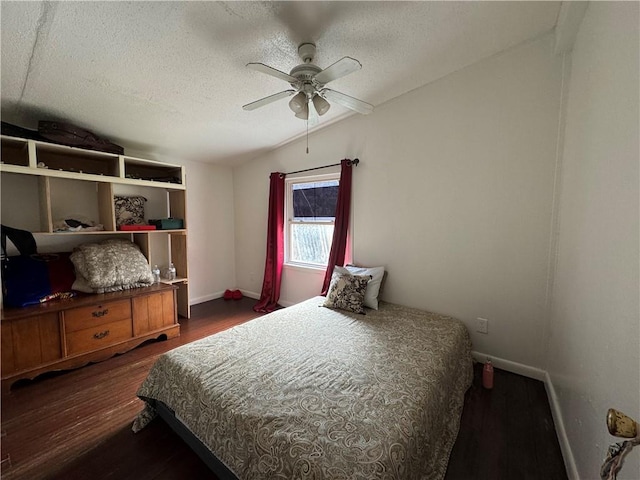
(169, 78)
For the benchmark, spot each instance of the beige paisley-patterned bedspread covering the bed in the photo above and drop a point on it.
(312, 393)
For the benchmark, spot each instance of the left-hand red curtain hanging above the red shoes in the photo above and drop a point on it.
(275, 247)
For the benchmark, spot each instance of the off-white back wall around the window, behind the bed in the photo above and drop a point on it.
(453, 196)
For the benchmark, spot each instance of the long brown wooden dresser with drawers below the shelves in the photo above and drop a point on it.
(67, 334)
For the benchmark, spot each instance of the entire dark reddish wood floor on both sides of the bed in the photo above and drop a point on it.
(77, 425)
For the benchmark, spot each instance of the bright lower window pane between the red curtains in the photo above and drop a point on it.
(310, 243)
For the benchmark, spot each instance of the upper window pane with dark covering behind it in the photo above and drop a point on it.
(315, 200)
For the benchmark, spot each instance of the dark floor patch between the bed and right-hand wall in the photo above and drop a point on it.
(506, 433)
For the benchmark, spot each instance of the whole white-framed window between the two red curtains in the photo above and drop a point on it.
(310, 212)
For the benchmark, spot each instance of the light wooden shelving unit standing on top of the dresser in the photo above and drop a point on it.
(43, 182)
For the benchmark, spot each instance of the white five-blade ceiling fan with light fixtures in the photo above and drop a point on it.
(309, 91)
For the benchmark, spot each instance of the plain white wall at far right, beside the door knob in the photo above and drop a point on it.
(594, 345)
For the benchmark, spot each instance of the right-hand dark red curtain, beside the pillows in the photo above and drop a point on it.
(341, 226)
